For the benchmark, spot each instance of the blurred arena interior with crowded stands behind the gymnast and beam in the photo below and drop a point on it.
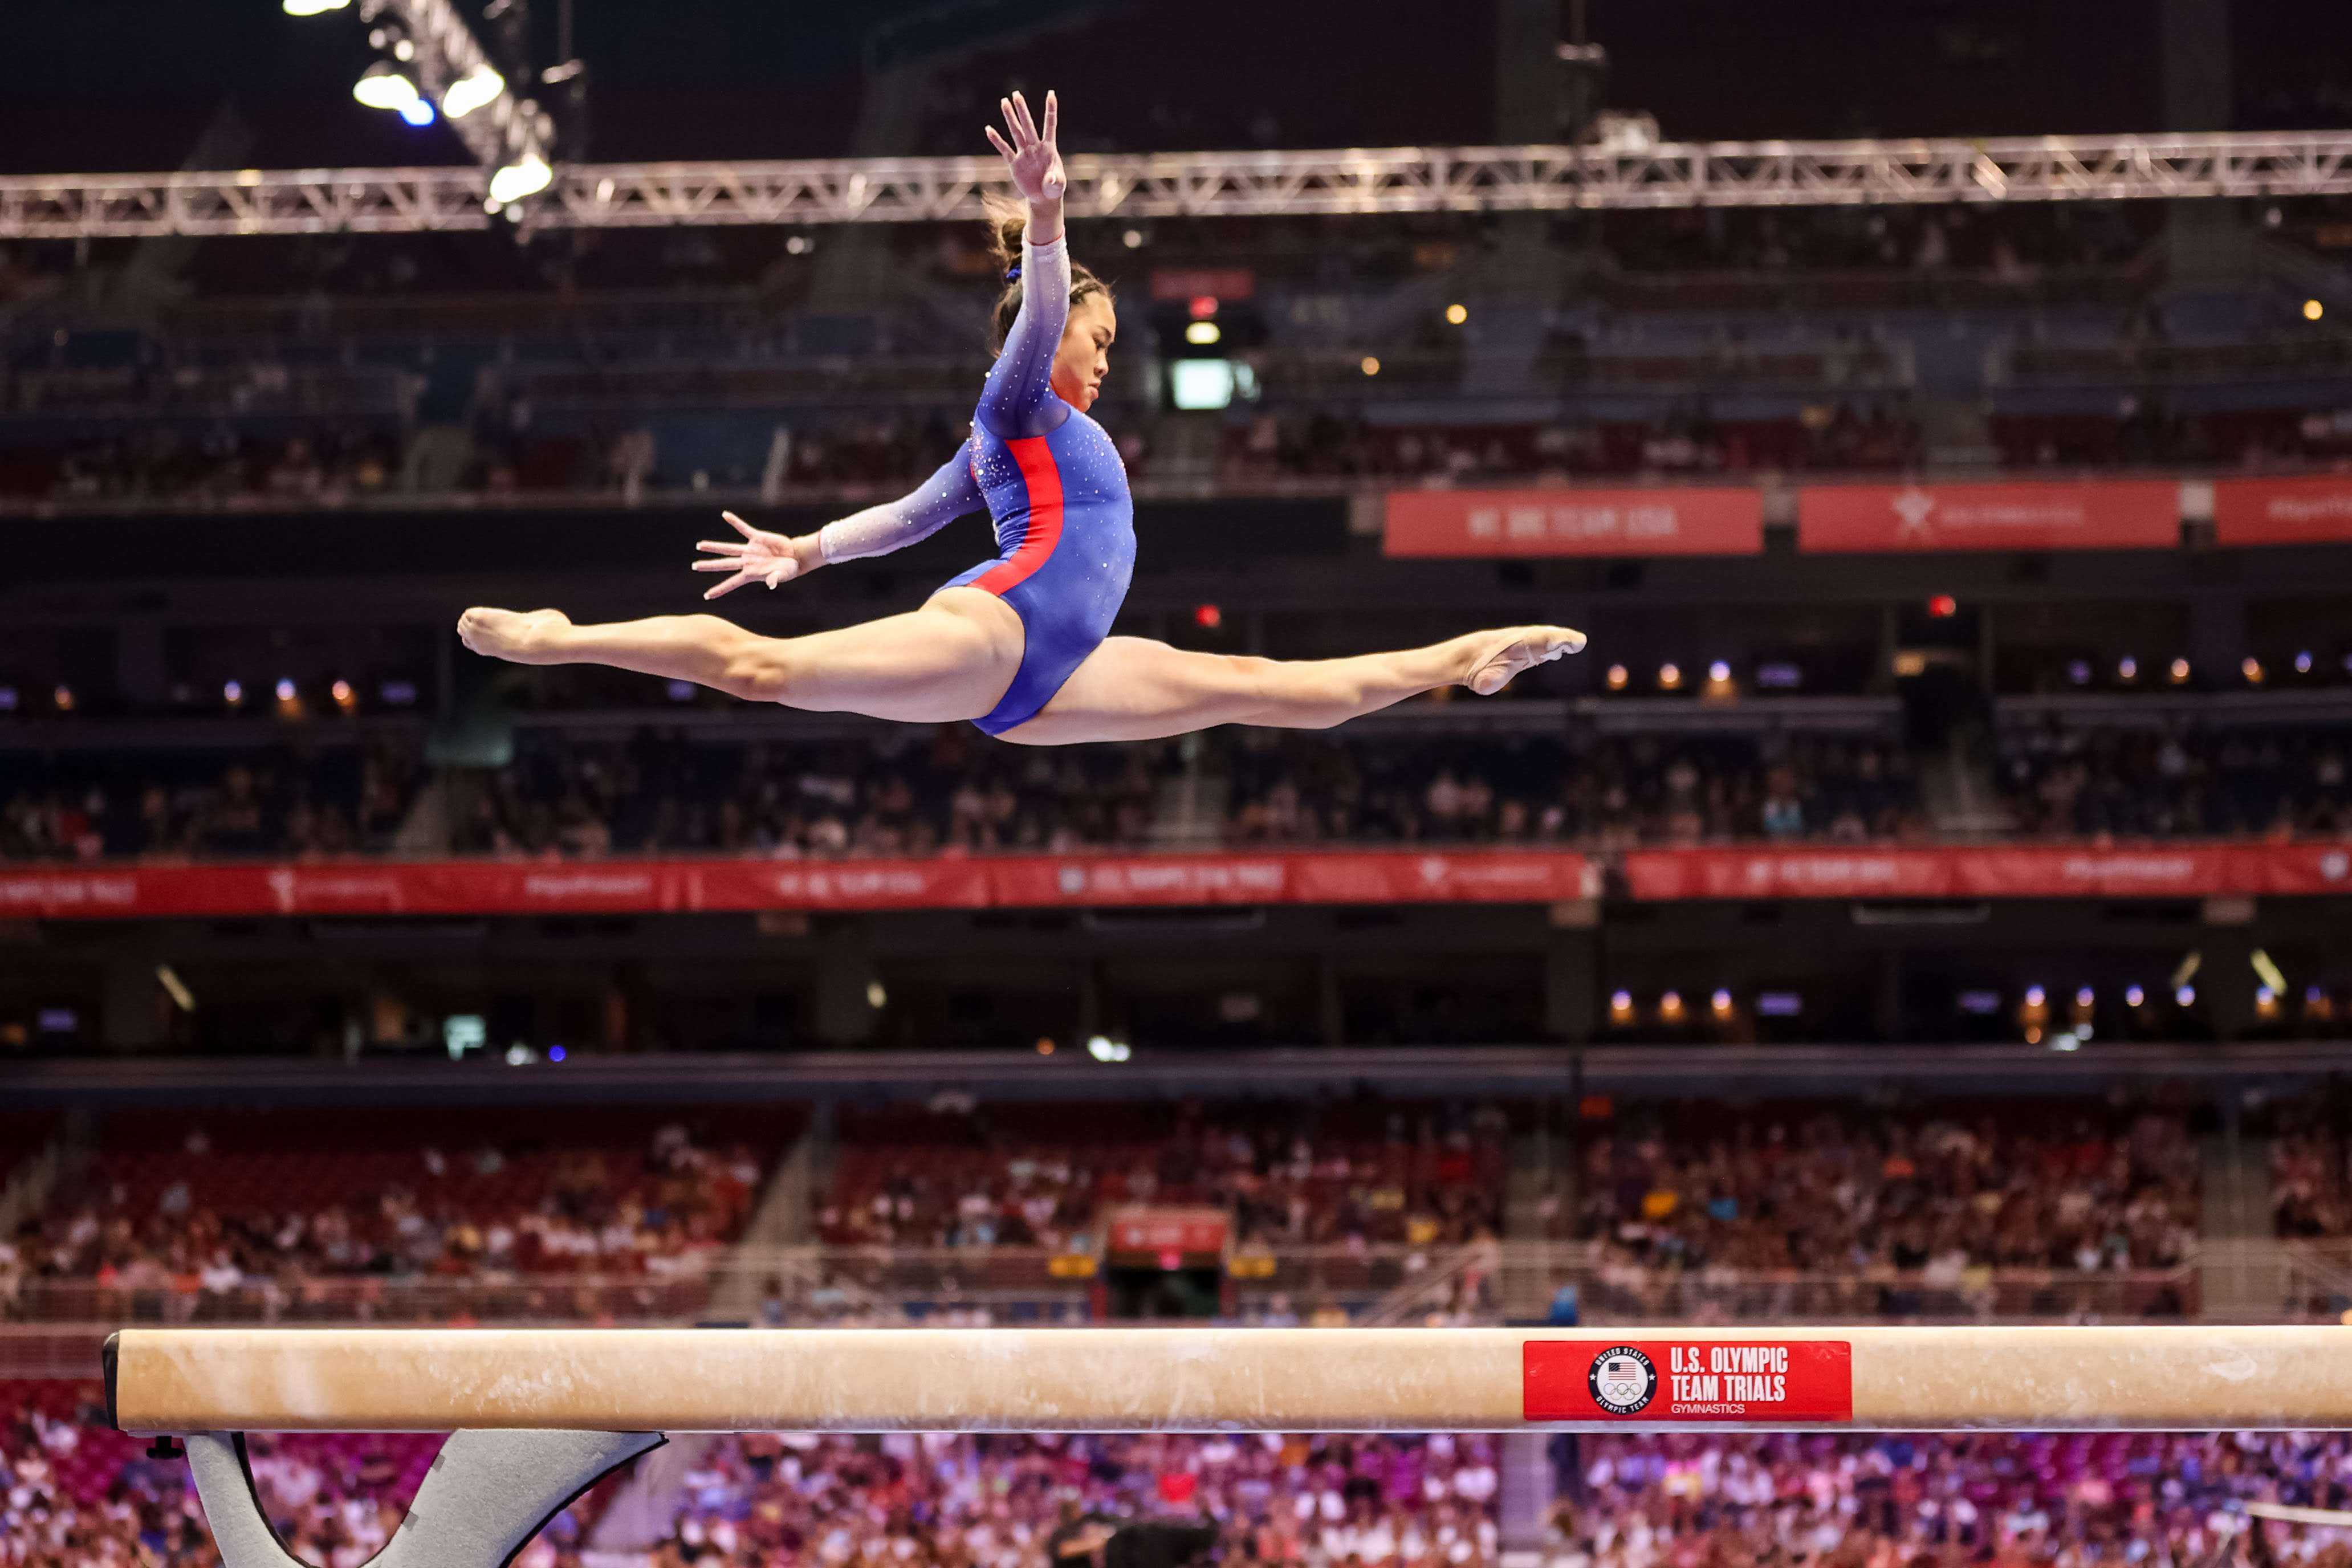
(1923, 902)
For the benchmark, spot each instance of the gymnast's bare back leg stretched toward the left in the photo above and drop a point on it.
(944, 662)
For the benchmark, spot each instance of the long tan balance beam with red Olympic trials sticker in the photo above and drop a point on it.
(171, 1381)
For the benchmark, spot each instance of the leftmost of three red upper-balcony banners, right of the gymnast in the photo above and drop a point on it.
(1725, 521)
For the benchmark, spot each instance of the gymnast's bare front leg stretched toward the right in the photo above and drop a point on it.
(1137, 690)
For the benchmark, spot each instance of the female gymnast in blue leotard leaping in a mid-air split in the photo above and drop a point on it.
(1020, 645)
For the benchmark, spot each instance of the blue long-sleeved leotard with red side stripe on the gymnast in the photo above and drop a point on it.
(1055, 488)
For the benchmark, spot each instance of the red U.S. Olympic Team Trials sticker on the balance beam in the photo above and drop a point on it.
(1673, 1381)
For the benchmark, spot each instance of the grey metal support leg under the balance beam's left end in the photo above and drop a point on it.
(483, 1501)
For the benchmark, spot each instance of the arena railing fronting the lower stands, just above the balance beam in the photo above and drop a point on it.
(2243, 1280)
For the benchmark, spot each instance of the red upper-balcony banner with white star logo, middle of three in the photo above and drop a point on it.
(2047, 516)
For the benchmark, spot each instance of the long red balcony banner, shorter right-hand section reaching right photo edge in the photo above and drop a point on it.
(2029, 871)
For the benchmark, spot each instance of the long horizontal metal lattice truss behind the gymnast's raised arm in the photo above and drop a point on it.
(1201, 185)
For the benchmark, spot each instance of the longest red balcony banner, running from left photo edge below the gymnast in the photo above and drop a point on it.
(954, 883)
